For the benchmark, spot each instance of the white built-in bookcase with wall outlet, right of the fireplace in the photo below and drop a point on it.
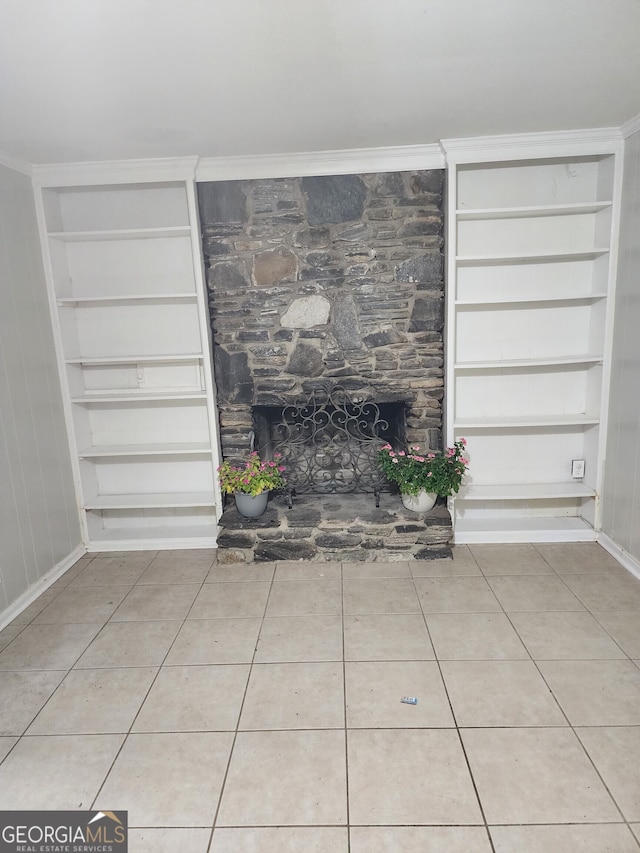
(531, 268)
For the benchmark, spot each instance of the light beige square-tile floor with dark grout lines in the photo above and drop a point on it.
(233, 709)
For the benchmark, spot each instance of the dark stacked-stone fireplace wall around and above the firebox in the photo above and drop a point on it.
(325, 280)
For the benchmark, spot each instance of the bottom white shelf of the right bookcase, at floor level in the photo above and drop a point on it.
(471, 531)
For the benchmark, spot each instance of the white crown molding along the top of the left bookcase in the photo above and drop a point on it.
(115, 171)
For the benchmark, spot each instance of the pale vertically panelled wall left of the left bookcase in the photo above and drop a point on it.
(39, 526)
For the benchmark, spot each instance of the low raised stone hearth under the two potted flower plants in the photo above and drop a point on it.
(348, 528)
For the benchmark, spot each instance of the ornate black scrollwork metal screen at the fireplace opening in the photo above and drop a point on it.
(329, 442)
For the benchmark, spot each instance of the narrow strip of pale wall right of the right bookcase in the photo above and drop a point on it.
(621, 498)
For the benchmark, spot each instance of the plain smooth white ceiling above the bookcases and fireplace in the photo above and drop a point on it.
(84, 80)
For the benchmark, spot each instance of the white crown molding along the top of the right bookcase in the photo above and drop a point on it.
(522, 145)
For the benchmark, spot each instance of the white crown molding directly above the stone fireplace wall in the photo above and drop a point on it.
(314, 163)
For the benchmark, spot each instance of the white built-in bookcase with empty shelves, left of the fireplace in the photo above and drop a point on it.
(122, 257)
